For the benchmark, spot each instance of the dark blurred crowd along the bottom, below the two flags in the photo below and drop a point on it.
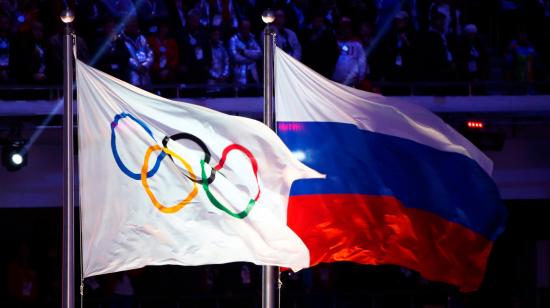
(32, 278)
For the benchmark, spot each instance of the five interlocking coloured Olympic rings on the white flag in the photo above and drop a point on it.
(204, 181)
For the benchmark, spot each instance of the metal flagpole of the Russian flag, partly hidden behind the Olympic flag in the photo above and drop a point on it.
(270, 279)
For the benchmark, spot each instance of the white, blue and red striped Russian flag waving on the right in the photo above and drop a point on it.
(401, 187)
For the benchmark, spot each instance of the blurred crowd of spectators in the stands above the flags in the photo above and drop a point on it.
(354, 42)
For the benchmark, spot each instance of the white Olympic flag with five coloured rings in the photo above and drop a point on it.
(165, 182)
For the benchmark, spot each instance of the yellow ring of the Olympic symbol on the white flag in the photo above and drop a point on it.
(145, 168)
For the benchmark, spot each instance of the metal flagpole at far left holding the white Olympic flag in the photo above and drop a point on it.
(67, 300)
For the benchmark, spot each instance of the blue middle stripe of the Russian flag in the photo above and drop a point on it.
(357, 161)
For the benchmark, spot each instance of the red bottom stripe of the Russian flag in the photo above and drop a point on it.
(380, 230)
